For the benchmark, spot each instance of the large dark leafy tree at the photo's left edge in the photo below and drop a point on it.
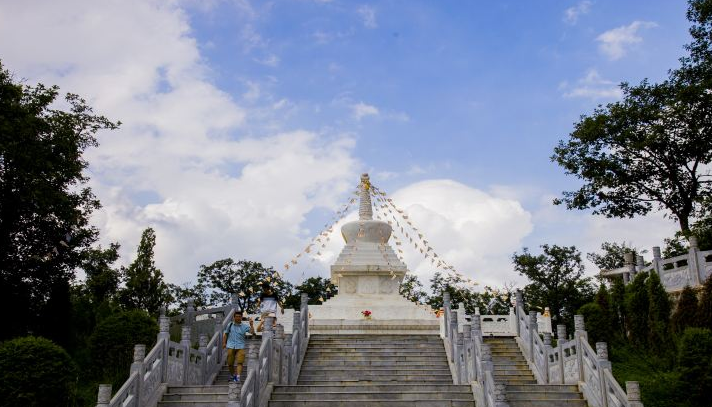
(45, 202)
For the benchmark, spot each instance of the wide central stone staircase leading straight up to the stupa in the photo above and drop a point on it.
(374, 371)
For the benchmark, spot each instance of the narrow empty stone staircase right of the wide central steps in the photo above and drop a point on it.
(511, 368)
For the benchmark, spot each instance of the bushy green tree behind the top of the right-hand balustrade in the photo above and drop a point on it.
(556, 280)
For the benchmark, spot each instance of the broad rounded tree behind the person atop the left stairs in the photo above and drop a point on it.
(244, 278)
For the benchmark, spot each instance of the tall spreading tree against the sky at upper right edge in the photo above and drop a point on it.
(652, 149)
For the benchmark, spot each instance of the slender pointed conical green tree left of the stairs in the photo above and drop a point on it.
(145, 288)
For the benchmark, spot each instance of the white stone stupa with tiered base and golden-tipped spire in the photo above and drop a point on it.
(368, 274)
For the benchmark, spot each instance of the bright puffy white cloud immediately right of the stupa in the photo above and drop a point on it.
(472, 230)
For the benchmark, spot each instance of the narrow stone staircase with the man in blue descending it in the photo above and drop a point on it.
(214, 395)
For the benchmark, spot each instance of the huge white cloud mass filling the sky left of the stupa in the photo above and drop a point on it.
(208, 191)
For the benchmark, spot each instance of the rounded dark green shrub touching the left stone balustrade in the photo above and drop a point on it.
(112, 342)
